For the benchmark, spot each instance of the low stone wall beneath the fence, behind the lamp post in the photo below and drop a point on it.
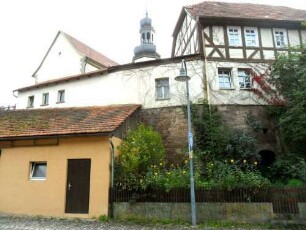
(227, 212)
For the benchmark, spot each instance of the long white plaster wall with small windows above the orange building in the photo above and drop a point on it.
(122, 87)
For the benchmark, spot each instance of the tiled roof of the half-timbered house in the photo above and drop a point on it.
(245, 11)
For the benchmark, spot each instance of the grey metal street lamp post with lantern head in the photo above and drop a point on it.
(183, 77)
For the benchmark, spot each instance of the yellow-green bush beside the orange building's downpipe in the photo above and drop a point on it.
(141, 149)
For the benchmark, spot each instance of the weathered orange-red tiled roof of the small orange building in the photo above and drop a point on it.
(63, 121)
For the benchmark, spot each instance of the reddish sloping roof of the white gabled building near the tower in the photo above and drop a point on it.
(89, 52)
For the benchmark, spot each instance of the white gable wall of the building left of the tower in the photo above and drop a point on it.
(62, 60)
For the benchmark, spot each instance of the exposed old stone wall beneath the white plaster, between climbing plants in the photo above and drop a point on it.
(171, 123)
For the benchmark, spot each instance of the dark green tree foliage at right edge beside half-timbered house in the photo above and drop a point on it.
(288, 76)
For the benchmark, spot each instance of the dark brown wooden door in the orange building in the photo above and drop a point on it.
(78, 186)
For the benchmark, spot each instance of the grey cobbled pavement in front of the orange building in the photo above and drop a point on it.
(8, 222)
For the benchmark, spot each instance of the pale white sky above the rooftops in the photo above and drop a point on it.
(111, 27)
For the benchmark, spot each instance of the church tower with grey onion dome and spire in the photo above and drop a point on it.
(147, 50)
